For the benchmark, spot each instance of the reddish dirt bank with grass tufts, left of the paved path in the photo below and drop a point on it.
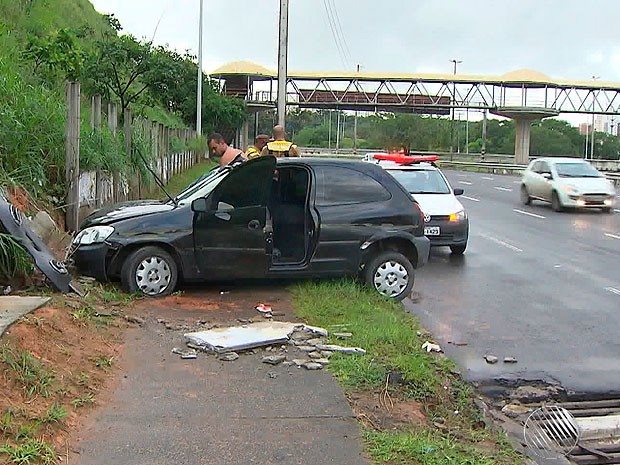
(54, 366)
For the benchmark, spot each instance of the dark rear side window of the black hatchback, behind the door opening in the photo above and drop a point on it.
(338, 186)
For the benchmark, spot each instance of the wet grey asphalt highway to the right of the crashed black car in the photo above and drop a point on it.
(540, 286)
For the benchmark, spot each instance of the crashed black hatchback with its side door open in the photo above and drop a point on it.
(291, 217)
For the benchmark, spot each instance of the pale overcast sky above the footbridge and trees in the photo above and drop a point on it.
(572, 39)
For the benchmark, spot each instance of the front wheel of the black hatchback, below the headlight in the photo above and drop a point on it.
(150, 271)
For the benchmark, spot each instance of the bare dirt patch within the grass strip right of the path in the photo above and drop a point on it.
(387, 412)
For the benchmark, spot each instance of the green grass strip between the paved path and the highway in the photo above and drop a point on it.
(389, 335)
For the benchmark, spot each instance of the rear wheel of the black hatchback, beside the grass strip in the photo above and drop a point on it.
(391, 274)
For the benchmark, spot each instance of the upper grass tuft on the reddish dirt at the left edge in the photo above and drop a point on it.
(29, 371)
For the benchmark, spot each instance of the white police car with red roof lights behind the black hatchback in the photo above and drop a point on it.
(446, 222)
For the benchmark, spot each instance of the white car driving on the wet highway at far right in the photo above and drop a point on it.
(567, 183)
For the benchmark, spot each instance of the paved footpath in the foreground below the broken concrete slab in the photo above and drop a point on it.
(168, 411)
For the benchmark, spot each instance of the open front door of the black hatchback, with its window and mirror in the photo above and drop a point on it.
(231, 230)
